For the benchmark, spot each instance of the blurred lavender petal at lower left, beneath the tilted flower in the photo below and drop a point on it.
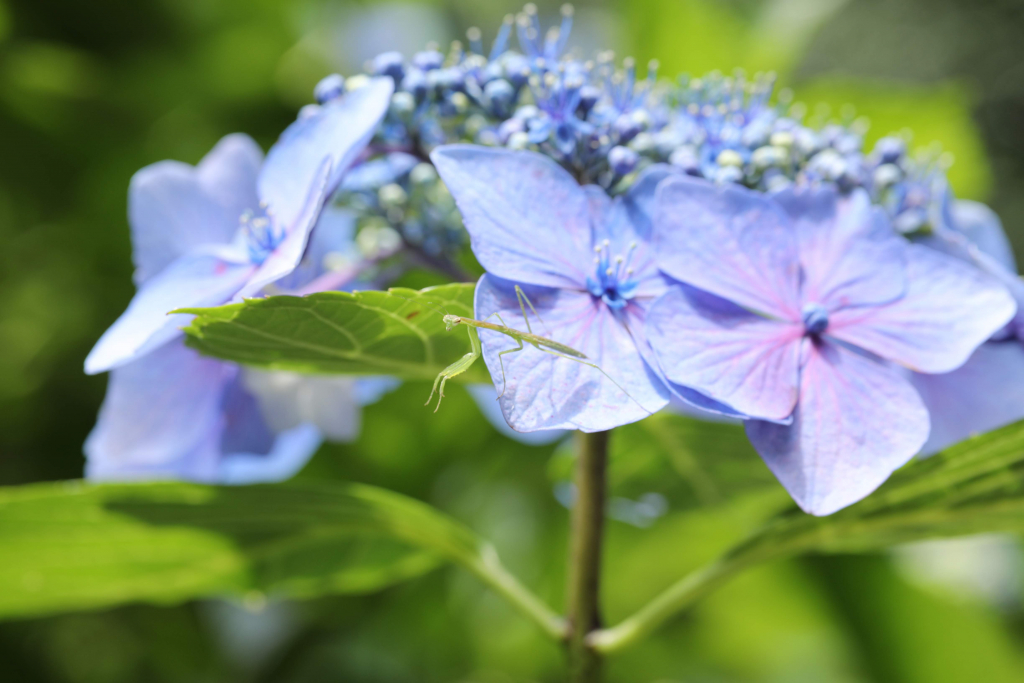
(161, 418)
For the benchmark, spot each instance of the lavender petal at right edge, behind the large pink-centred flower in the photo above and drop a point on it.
(985, 394)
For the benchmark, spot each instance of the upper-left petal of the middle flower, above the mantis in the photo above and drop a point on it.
(529, 220)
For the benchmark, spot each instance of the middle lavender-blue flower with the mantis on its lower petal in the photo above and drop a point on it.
(585, 262)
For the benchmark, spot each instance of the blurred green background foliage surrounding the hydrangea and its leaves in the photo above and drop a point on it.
(91, 93)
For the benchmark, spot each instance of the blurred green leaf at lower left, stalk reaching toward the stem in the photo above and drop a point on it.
(75, 546)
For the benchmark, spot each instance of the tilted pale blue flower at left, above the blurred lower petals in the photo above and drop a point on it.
(228, 228)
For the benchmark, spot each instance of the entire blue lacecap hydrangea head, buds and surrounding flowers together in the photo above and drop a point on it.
(702, 241)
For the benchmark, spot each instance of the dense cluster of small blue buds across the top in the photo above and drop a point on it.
(604, 124)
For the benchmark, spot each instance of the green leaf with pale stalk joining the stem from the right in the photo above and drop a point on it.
(976, 487)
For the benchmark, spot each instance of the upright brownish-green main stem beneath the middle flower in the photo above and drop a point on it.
(585, 557)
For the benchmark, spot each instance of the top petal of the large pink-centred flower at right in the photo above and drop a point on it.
(849, 252)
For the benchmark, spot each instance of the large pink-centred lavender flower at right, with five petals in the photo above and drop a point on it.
(797, 311)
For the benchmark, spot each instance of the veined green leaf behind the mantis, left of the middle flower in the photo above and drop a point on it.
(400, 332)
